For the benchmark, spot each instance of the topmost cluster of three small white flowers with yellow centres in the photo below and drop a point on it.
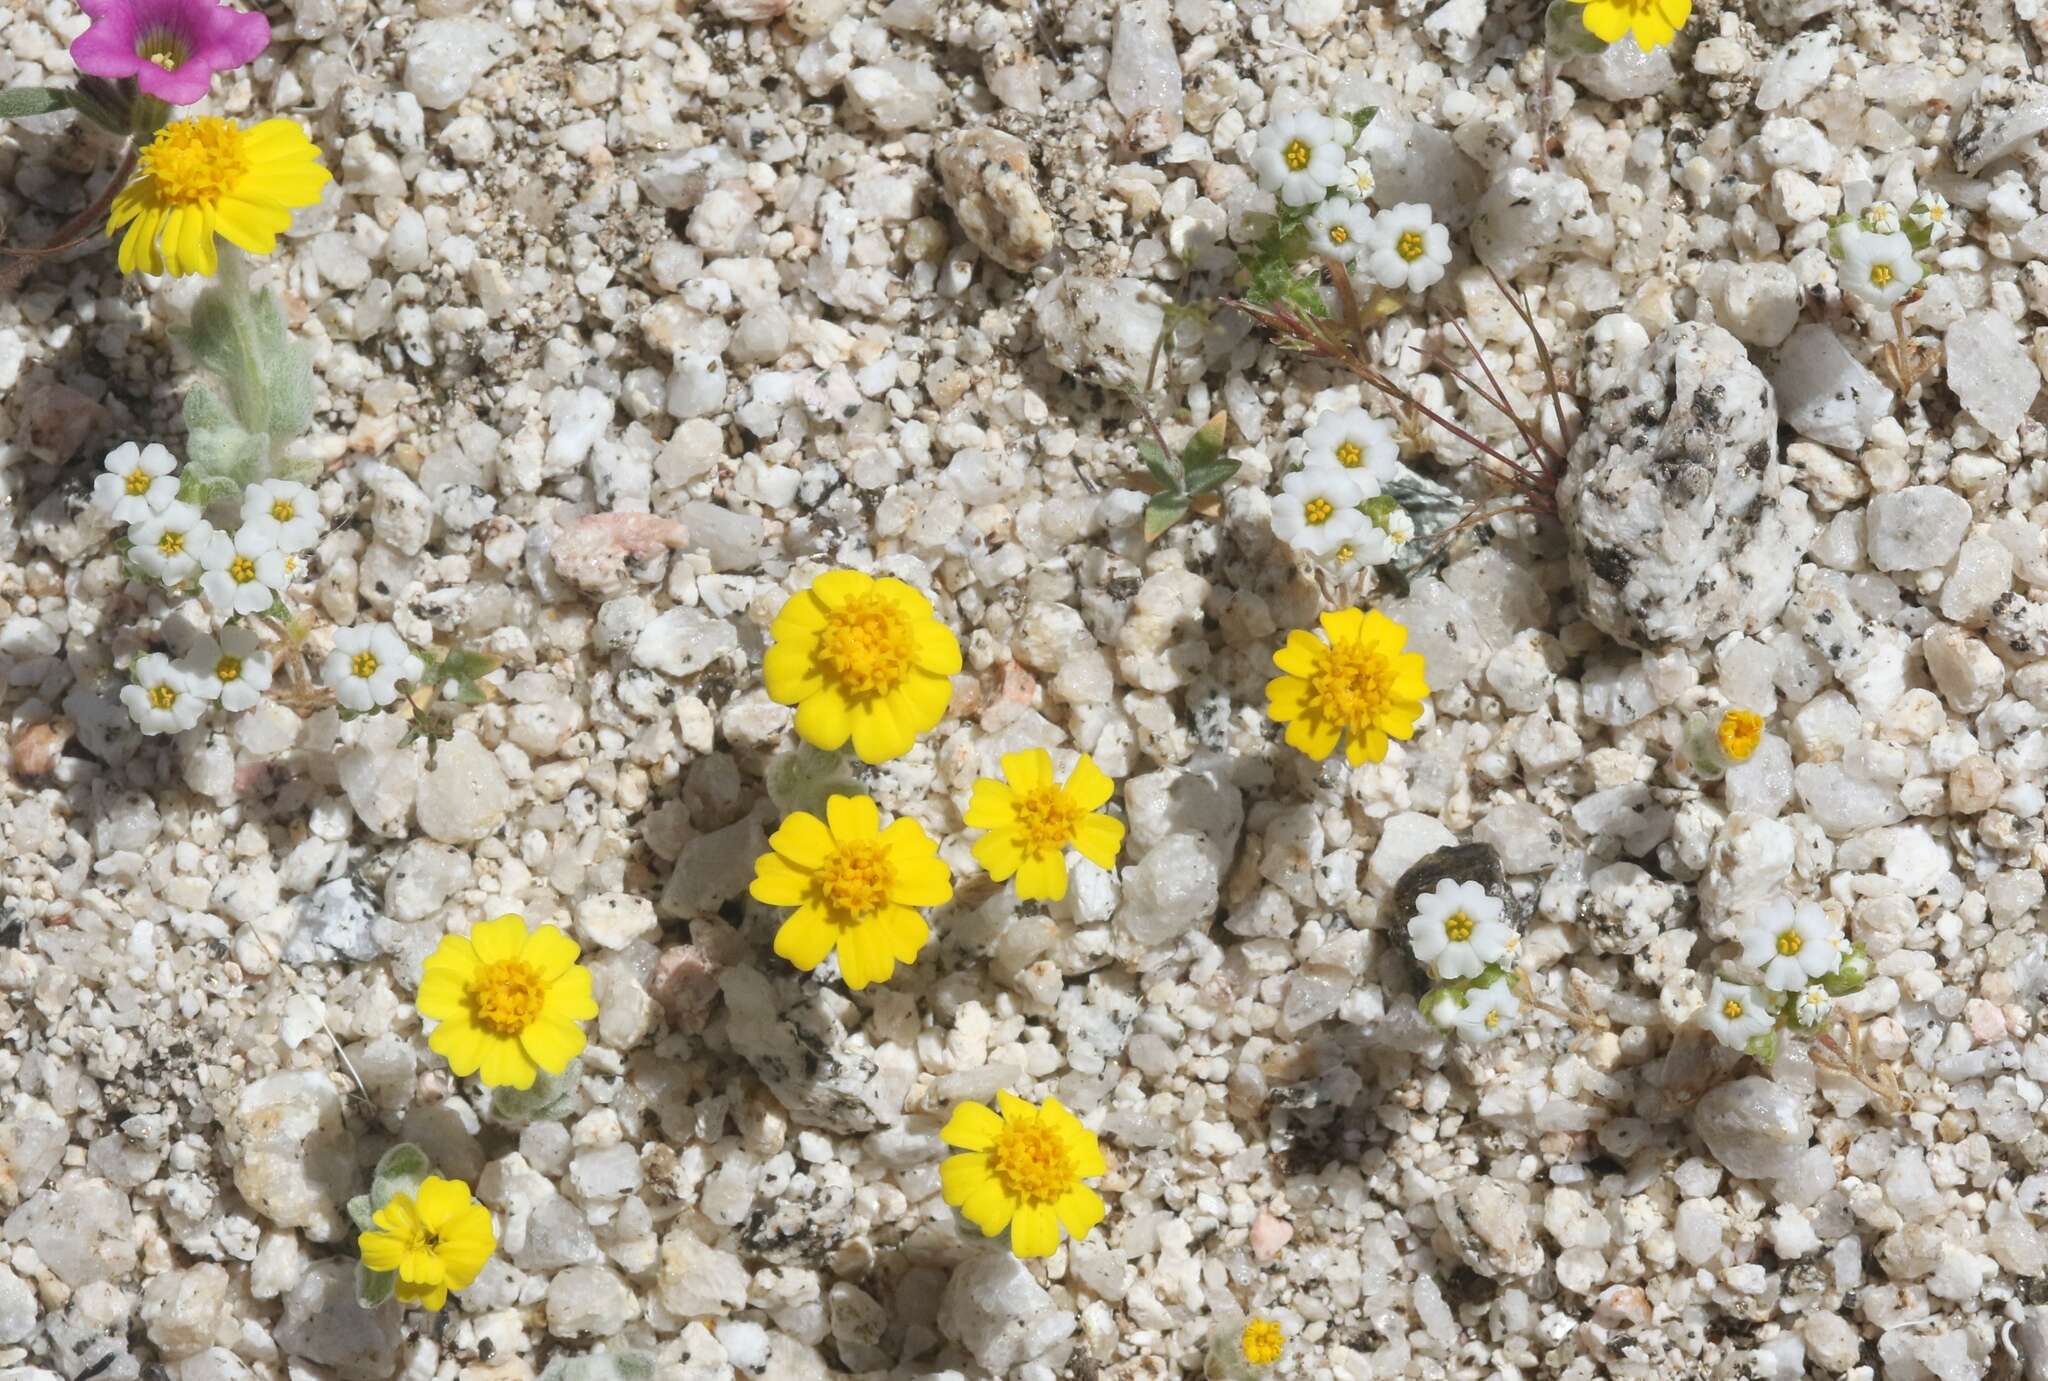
(1308, 161)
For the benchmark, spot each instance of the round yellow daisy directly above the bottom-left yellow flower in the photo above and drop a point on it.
(507, 1001)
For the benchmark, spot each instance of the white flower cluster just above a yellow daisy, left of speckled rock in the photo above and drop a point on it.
(1332, 509)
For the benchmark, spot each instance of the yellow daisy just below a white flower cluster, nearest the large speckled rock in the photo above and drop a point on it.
(1349, 681)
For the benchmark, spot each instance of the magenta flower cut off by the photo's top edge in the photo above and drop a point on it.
(171, 48)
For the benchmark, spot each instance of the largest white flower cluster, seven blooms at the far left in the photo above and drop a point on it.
(239, 577)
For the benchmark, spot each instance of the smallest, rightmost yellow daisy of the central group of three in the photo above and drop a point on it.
(1033, 819)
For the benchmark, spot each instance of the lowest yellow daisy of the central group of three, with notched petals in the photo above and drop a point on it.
(855, 888)
